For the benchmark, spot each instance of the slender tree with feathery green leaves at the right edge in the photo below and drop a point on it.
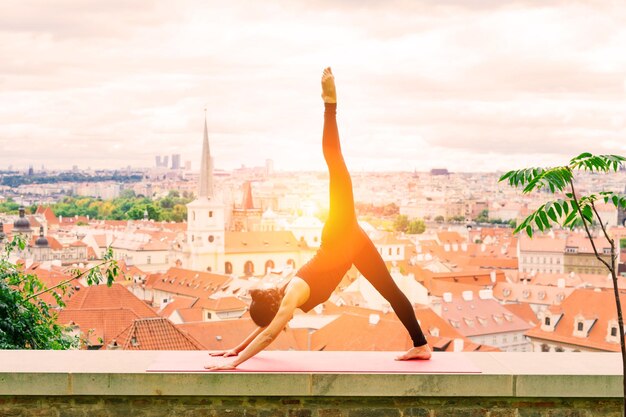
(575, 210)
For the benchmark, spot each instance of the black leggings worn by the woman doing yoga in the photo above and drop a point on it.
(343, 217)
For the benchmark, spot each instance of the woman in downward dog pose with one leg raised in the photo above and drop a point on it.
(343, 244)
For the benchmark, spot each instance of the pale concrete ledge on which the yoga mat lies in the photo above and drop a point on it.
(122, 373)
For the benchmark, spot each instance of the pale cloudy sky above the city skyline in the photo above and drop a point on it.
(467, 85)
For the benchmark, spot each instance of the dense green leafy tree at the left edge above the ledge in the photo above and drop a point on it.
(26, 321)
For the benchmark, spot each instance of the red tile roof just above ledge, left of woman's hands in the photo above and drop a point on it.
(156, 333)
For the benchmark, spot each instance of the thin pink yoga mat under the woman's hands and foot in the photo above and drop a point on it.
(316, 362)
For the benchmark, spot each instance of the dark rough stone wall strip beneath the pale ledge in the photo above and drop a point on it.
(198, 406)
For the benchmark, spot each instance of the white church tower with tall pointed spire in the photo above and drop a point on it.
(205, 219)
